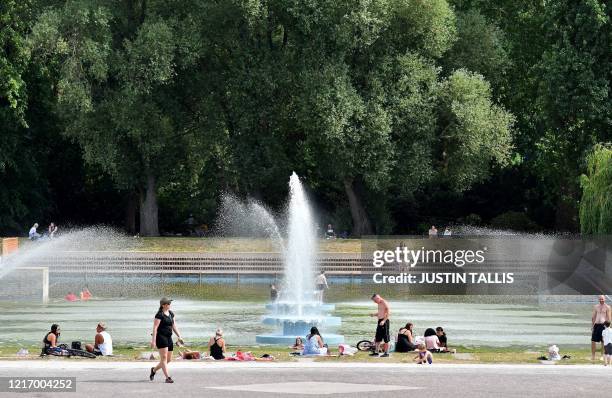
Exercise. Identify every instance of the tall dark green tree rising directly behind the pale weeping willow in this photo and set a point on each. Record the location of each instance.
(573, 96)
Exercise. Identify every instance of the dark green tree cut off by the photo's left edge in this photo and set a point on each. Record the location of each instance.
(22, 193)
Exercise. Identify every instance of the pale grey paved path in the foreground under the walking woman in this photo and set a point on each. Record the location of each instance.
(309, 379)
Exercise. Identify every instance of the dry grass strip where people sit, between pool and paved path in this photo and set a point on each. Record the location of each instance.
(477, 355)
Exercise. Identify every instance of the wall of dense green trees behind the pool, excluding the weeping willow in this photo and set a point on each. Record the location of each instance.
(397, 113)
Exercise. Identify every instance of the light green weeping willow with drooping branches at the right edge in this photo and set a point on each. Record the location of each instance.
(596, 203)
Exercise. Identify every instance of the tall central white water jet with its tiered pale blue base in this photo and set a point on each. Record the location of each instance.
(296, 309)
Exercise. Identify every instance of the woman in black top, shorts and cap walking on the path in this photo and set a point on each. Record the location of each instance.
(163, 326)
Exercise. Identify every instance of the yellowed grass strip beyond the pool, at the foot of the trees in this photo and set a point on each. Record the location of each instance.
(214, 245)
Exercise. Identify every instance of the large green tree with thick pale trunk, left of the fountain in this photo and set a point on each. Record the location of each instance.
(125, 92)
